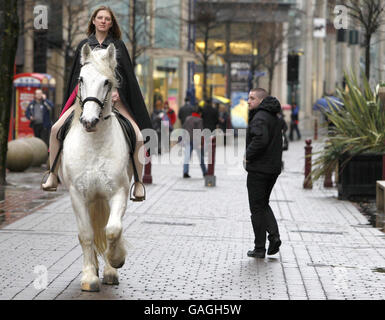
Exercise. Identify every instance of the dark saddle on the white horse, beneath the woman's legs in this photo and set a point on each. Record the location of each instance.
(129, 135)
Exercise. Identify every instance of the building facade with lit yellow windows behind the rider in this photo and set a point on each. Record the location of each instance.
(247, 45)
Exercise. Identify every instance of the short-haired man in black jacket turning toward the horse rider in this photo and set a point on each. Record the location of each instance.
(263, 164)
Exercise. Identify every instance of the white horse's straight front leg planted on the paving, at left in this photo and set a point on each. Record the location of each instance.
(90, 279)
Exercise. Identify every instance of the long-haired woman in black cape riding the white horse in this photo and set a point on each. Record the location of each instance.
(103, 29)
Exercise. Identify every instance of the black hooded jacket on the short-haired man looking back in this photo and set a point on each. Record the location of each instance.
(264, 138)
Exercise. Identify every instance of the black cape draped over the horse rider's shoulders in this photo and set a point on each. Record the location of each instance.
(129, 90)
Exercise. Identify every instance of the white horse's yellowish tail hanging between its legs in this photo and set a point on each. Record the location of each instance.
(99, 214)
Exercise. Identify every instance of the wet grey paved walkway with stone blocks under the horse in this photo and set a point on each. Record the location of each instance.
(188, 241)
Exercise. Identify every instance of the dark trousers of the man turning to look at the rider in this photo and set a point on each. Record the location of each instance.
(259, 187)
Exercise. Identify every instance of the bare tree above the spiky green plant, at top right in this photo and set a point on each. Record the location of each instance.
(369, 15)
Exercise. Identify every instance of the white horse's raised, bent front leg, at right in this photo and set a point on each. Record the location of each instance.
(116, 252)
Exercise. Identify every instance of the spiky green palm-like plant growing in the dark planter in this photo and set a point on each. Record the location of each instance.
(359, 127)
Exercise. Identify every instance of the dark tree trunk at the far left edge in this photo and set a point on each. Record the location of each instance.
(9, 35)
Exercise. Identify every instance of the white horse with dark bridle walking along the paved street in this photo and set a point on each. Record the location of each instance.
(95, 168)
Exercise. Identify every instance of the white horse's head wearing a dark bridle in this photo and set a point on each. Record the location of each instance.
(96, 81)
